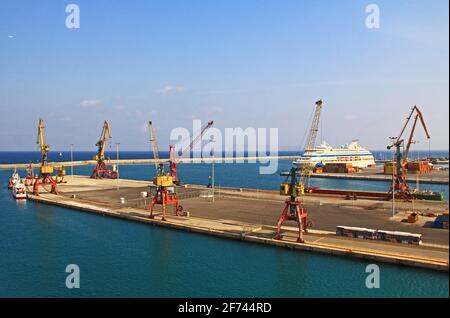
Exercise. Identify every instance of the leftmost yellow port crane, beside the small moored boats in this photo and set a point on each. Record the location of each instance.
(44, 177)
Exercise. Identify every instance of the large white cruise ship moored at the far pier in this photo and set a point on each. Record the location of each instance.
(351, 153)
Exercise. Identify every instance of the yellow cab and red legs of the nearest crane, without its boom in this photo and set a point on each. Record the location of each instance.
(294, 209)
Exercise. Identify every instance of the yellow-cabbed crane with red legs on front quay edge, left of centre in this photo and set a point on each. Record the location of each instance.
(165, 193)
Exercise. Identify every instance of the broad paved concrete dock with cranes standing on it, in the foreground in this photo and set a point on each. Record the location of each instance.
(251, 216)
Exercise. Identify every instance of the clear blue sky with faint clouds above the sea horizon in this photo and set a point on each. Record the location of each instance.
(243, 63)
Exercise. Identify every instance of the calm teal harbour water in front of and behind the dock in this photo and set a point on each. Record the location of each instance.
(120, 258)
